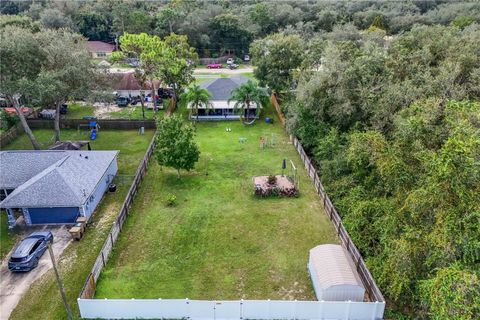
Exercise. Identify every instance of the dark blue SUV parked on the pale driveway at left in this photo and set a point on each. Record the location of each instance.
(27, 253)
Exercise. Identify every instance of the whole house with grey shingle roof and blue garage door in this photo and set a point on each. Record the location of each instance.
(54, 186)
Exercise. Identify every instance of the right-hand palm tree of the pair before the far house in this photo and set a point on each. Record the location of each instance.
(244, 96)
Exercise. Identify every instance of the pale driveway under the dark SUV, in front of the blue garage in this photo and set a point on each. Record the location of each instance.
(14, 285)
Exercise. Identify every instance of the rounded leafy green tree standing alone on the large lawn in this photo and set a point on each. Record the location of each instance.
(175, 144)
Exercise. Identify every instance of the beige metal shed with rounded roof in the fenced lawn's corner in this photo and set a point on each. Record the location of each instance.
(334, 275)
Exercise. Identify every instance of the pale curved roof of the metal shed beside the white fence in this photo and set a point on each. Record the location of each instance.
(333, 267)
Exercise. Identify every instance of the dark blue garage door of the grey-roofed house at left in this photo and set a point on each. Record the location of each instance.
(53, 215)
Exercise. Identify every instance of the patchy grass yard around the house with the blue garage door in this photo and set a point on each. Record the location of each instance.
(43, 300)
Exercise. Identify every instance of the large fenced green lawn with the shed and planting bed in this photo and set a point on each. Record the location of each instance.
(219, 242)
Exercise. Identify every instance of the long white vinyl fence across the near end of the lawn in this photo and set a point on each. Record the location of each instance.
(228, 310)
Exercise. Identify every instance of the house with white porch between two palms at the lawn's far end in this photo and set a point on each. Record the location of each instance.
(221, 90)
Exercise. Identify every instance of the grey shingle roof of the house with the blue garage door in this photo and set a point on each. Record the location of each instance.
(67, 179)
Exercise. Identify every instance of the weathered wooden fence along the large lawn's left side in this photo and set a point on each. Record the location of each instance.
(88, 290)
